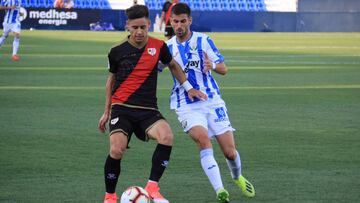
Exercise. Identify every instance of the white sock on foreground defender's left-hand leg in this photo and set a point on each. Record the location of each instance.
(211, 168)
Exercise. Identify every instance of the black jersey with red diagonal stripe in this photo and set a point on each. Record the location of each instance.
(136, 72)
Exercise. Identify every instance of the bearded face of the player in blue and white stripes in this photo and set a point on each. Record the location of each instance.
(181, 25)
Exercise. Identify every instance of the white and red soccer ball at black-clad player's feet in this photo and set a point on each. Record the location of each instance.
(135, 194)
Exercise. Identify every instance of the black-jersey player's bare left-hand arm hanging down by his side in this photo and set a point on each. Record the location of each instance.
(105, 117)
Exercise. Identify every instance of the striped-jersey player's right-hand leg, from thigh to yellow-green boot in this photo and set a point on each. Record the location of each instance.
(227, 145)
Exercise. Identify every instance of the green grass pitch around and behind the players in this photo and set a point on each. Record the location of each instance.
(294, 99)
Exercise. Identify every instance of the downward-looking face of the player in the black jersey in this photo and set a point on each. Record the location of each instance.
(138, 29)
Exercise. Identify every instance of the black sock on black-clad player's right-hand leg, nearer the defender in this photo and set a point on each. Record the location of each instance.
(160, 161)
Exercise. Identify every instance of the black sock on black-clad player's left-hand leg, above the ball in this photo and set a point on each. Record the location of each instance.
(112, 171)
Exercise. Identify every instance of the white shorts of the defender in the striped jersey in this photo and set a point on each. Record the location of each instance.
(210, 114)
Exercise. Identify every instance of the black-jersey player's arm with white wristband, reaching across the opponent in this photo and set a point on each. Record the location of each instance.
(180, 76)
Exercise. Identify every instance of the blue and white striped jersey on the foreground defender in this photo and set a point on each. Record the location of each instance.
(190, 56)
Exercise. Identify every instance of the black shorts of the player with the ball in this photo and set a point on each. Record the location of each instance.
(133, 120)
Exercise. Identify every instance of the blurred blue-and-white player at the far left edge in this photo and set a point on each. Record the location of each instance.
(11, 24)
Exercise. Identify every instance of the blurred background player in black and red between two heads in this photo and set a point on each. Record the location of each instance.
(165, 18)
